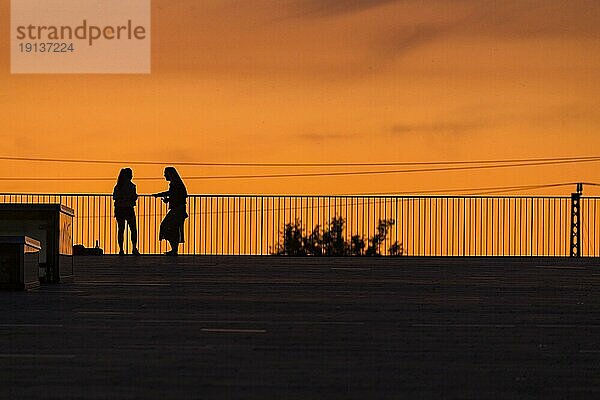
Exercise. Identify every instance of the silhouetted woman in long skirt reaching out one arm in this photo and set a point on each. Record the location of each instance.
(171, 227)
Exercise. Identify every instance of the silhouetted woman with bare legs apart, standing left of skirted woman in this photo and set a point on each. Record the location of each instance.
(125, 197)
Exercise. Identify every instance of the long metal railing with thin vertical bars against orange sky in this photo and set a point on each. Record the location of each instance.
(424, 225)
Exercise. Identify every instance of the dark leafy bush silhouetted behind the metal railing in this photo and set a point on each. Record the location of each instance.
(330, 241)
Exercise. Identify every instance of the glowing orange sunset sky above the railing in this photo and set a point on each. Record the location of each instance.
(322, 81)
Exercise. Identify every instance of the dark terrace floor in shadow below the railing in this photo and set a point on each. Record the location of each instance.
(154, 327)
